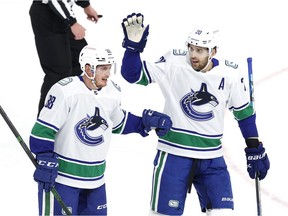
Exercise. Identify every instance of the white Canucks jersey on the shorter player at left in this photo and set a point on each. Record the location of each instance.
(77, 124)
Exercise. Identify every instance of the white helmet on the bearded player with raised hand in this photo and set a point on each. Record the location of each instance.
(203, 38)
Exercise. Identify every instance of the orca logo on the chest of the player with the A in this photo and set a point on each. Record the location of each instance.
(198, 99)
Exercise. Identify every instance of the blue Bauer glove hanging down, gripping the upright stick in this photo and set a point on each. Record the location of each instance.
(257, 161)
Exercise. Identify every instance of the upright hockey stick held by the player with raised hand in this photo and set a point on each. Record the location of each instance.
(252, 100)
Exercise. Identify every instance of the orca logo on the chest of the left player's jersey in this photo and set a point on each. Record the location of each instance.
(85, 129)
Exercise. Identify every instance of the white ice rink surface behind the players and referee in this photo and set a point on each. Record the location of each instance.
(247, 29)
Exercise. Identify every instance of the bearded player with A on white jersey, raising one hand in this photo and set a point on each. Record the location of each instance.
(197, 88)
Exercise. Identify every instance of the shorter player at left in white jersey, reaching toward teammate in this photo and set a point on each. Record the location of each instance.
(72, 134)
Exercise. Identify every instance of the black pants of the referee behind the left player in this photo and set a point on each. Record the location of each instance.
(57, 49)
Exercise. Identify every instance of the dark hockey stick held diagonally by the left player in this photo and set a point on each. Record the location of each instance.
(30, 155)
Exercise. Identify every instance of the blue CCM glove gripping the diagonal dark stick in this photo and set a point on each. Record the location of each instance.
(46, 170)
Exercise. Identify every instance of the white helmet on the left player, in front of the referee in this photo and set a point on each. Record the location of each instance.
(94, 57)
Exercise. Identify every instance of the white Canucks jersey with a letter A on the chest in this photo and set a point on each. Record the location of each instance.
(196, 102)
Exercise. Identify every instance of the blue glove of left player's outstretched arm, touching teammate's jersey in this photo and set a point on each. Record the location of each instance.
(155, 120)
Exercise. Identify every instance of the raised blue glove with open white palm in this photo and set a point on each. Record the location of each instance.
(135, 33)
